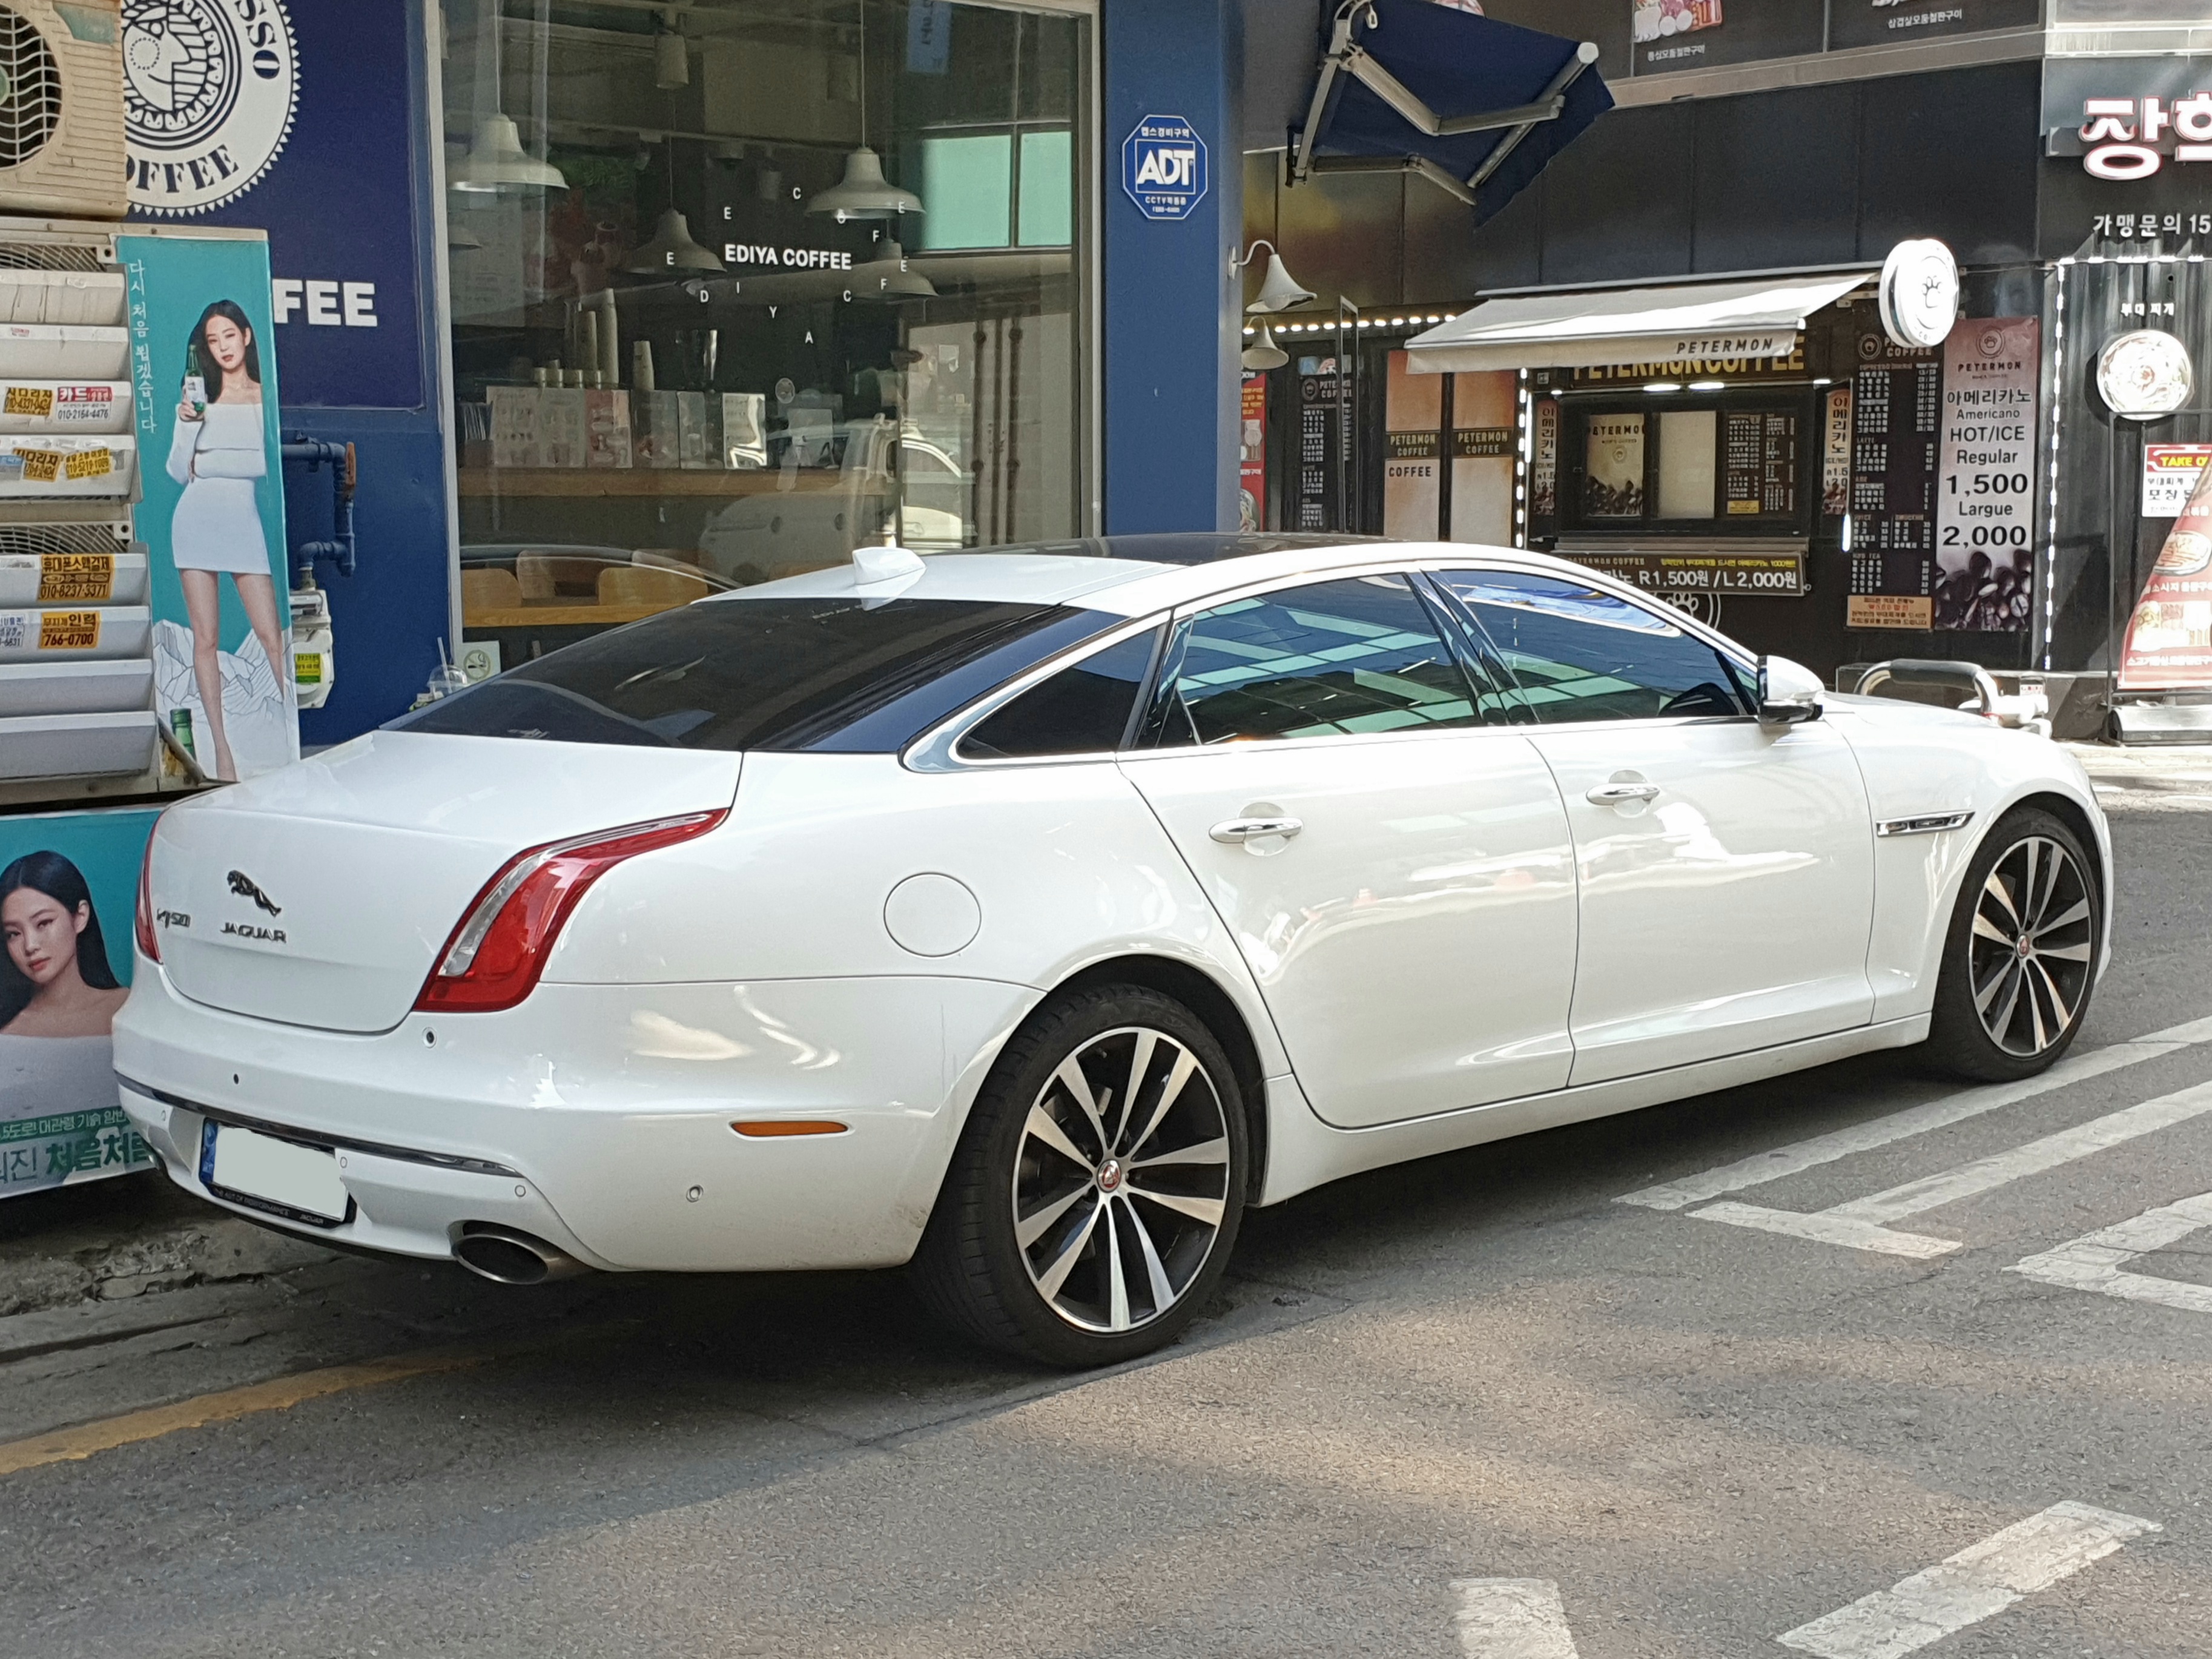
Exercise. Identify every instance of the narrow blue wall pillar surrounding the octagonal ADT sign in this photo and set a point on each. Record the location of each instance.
(1171, 311)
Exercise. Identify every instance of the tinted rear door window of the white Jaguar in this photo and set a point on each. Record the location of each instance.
(1355, 656)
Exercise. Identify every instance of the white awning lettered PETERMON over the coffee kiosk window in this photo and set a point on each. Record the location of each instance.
(1757, 317)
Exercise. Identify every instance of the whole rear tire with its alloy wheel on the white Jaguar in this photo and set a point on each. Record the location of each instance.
(1081, 1231)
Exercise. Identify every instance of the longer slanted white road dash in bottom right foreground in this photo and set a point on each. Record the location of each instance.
(1970, 1587)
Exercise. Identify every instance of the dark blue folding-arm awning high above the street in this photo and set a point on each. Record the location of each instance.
(1470, 103)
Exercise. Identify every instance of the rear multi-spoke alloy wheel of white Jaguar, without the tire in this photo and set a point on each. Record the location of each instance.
(1120, 1180)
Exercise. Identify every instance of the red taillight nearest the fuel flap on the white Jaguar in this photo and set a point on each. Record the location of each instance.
(503, 941)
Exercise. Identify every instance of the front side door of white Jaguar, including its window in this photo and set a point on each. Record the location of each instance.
(1726, 866)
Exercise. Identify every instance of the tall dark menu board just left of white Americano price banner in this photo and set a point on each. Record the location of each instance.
(1897, 415)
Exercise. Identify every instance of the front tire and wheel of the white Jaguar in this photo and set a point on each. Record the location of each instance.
(2007, 1012)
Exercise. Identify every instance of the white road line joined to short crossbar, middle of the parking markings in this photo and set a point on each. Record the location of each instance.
(1861, 1224)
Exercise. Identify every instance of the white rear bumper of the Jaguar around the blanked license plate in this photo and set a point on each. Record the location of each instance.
(598, 1118)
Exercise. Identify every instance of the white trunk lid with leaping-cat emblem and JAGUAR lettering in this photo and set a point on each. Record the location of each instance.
(320, 895)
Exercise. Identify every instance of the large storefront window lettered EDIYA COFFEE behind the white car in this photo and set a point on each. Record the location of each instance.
(744, 284)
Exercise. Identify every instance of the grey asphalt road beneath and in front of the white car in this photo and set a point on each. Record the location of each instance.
(1669, 1432)
